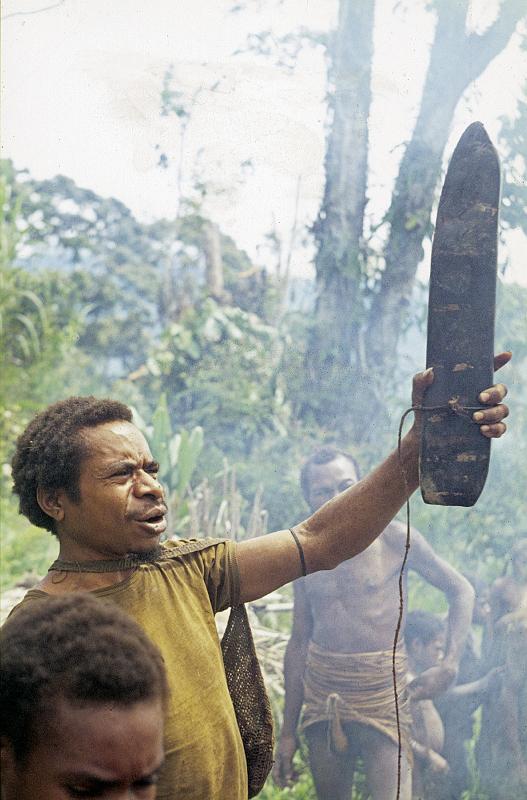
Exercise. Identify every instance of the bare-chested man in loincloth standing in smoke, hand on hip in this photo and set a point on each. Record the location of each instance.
(338, 662)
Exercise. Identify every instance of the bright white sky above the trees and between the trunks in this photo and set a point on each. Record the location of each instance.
(81, 87)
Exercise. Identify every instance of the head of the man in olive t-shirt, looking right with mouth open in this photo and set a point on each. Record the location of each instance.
(84, 471)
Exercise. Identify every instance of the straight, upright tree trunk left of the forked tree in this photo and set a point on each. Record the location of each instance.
(339, 227)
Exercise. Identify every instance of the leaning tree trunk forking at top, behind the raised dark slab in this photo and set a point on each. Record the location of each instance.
(457, 59)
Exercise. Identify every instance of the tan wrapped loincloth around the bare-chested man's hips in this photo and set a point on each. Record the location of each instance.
(356, 687)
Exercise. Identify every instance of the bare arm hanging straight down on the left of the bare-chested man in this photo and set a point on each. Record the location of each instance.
(294, 666)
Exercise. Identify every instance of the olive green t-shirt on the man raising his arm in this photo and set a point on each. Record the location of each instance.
(174, 600)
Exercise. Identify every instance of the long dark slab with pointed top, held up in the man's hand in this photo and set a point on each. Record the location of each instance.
(454, 456)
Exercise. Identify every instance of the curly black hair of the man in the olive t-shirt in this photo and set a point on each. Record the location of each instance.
(49, 452)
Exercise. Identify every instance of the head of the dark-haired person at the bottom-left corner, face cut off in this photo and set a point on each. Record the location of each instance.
(83, 692)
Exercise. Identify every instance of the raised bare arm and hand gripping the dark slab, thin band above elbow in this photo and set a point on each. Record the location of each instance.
(350, 522)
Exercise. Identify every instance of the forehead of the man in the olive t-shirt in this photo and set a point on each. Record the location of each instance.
(115, 440)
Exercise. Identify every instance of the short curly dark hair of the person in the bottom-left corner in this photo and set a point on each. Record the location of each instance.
(74, 647)
